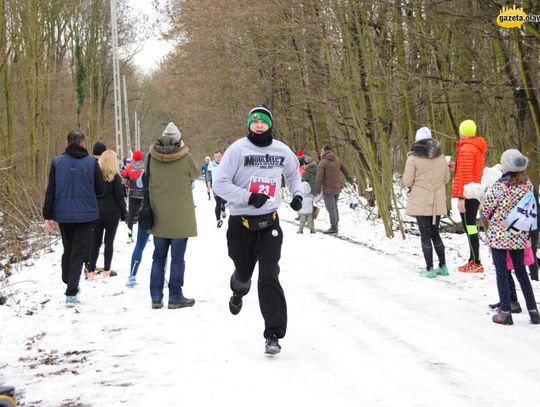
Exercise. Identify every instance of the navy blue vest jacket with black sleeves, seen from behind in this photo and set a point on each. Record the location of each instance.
(75, 181)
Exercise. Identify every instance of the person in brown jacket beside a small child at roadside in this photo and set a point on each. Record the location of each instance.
(328, 181)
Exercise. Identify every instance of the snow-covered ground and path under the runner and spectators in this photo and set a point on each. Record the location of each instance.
(364, 330)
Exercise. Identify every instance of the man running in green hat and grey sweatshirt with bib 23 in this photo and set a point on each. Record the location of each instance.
(249, 178)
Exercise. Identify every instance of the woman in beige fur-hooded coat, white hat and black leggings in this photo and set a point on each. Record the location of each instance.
(426, 174)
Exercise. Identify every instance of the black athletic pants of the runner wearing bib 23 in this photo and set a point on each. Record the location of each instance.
(245, 249)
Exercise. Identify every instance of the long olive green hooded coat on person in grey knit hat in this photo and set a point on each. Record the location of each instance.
(171, 171)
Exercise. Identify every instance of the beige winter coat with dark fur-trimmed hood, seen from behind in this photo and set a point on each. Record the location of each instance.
(426, 174)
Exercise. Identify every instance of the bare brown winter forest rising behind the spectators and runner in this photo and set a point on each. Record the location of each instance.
(362, 76)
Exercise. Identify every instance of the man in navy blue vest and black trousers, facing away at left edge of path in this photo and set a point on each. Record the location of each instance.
(75, 181)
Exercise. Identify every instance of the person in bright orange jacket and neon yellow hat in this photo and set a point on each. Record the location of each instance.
(469, 166)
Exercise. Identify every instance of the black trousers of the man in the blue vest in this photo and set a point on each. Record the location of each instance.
(76, 238)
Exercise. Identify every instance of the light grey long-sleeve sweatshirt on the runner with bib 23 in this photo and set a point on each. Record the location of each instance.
(246, 168)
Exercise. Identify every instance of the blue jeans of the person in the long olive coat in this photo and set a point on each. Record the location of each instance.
(157, 275)
